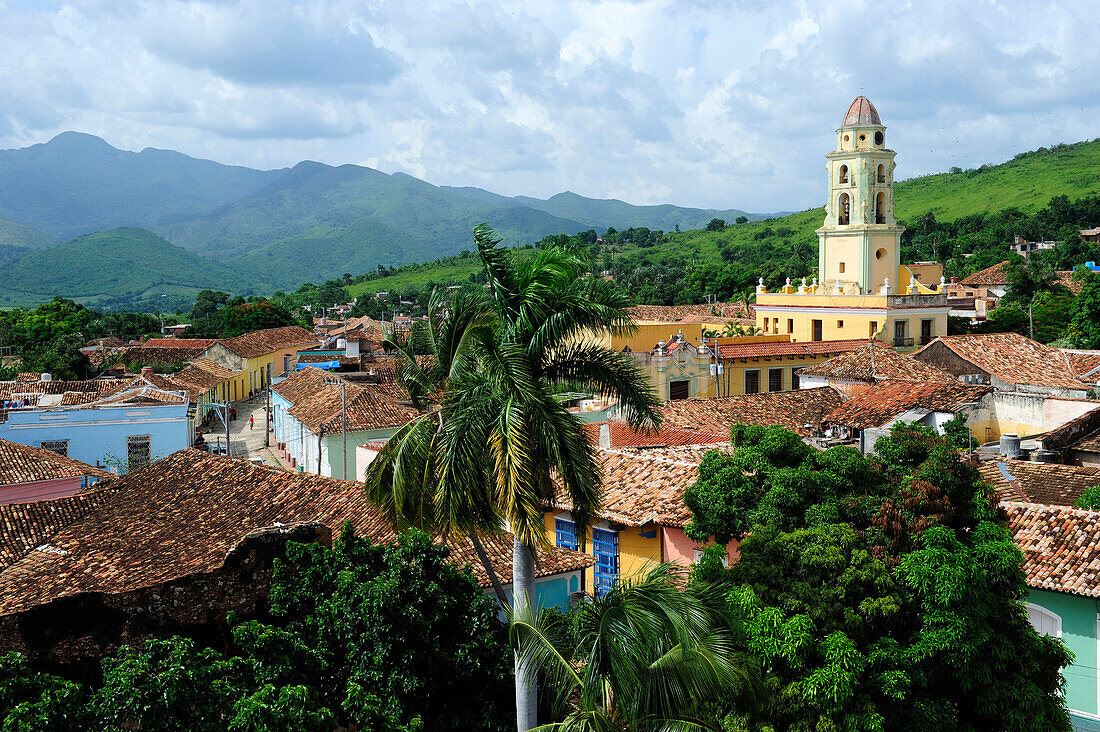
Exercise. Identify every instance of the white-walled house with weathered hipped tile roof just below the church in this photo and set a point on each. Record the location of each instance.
(871, 364)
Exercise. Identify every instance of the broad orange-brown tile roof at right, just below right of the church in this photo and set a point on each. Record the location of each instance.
(1013, 358)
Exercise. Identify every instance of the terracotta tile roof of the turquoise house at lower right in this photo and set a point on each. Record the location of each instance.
(1061, 548)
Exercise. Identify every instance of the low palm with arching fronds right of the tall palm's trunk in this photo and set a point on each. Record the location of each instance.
(648, 654)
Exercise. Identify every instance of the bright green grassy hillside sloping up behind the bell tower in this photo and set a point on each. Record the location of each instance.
(1027, 183)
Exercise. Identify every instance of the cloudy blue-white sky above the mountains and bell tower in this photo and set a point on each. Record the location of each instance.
(706, 103)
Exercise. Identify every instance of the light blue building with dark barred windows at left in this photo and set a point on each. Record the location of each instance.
(117, 425)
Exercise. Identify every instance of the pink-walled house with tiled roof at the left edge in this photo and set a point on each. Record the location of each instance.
(34, 474)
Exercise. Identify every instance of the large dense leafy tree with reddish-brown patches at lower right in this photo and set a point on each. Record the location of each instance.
(879, 594)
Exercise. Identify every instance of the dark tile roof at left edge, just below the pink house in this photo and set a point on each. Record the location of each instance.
(27, 526)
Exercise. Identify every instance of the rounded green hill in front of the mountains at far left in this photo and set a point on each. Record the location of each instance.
(130, 266)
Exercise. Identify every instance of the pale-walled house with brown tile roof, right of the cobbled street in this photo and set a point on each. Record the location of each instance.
(310, 409)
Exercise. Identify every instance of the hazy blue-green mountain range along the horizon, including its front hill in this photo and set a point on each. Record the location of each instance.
(155, 227)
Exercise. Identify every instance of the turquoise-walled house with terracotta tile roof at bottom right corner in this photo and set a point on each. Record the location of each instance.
(1062, 564)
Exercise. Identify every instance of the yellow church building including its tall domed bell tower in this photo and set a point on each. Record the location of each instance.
(864, 291)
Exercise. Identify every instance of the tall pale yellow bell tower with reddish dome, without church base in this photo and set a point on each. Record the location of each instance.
(859, 247)
